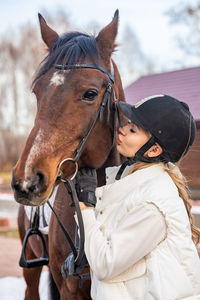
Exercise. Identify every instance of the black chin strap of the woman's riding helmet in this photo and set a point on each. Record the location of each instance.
(139, 156)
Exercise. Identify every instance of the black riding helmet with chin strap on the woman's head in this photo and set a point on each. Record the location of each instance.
(170, 123)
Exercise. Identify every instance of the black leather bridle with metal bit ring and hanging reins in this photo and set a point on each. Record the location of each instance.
(77, 258)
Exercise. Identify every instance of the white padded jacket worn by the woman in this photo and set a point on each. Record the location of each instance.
(138, 240)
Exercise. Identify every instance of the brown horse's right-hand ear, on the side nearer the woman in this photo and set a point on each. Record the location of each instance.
(106, 38)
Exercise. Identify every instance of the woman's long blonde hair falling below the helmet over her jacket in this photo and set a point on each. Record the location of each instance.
(183, 190)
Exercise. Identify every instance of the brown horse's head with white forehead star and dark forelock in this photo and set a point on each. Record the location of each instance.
(71, 85)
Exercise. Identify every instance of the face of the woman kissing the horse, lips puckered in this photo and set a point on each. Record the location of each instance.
(130, 139)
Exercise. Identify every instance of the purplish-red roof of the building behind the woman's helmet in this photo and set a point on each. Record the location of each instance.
(182, 84)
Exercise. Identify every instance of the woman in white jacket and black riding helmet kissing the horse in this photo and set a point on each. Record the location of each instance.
(140, 239)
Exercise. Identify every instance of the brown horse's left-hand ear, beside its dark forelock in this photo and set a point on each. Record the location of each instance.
(49, 36)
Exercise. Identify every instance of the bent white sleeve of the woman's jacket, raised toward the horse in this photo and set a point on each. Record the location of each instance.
(138, 233)
